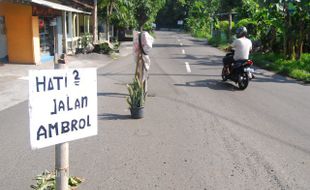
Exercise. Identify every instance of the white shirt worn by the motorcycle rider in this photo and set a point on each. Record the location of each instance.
(242, 47)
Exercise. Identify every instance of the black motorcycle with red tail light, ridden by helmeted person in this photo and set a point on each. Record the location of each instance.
(239, 71)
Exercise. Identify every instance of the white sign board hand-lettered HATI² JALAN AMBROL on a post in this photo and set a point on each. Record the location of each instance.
(62, 105)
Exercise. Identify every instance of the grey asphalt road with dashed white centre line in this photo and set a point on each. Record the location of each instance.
(198, 132)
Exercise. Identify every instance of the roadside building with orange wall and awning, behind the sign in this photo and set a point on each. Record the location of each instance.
(31, 30)
